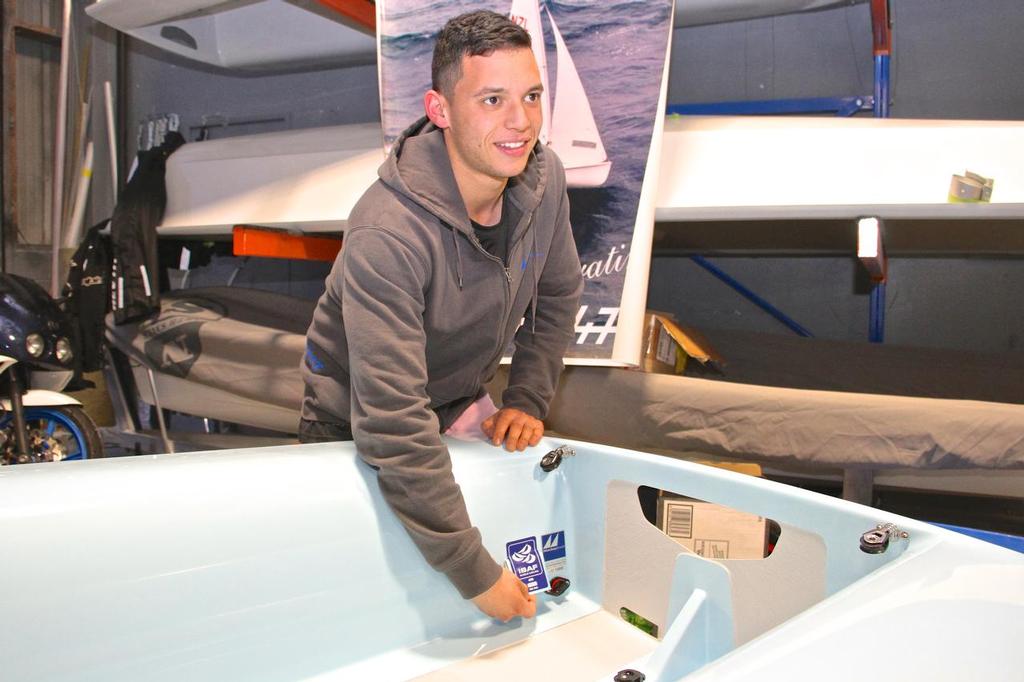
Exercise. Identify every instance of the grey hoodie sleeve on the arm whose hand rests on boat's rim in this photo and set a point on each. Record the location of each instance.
(541, 344)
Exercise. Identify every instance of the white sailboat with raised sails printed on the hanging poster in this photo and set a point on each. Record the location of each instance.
(570, 131)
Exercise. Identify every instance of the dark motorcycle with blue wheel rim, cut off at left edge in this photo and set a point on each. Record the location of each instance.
(38, 422)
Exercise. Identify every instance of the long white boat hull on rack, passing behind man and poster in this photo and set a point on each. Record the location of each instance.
(310, 180)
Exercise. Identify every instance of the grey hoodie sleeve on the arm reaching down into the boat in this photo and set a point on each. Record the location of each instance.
(393, 424)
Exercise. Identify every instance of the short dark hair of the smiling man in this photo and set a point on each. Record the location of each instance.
(473, 34)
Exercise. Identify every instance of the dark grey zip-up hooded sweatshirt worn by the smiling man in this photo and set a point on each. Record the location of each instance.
(415, 320)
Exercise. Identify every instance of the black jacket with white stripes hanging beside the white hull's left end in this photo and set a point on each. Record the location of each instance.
(136, 276)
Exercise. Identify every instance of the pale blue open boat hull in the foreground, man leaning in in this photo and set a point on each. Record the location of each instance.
(285, 564)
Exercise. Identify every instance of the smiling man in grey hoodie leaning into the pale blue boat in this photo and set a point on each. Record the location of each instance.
(463, 245)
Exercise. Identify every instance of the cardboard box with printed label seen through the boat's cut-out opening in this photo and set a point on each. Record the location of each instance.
(712, 531)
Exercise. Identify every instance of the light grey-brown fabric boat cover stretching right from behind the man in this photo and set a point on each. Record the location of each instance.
(786, 425)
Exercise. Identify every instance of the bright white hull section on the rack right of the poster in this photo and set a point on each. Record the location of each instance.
(759, 168)
